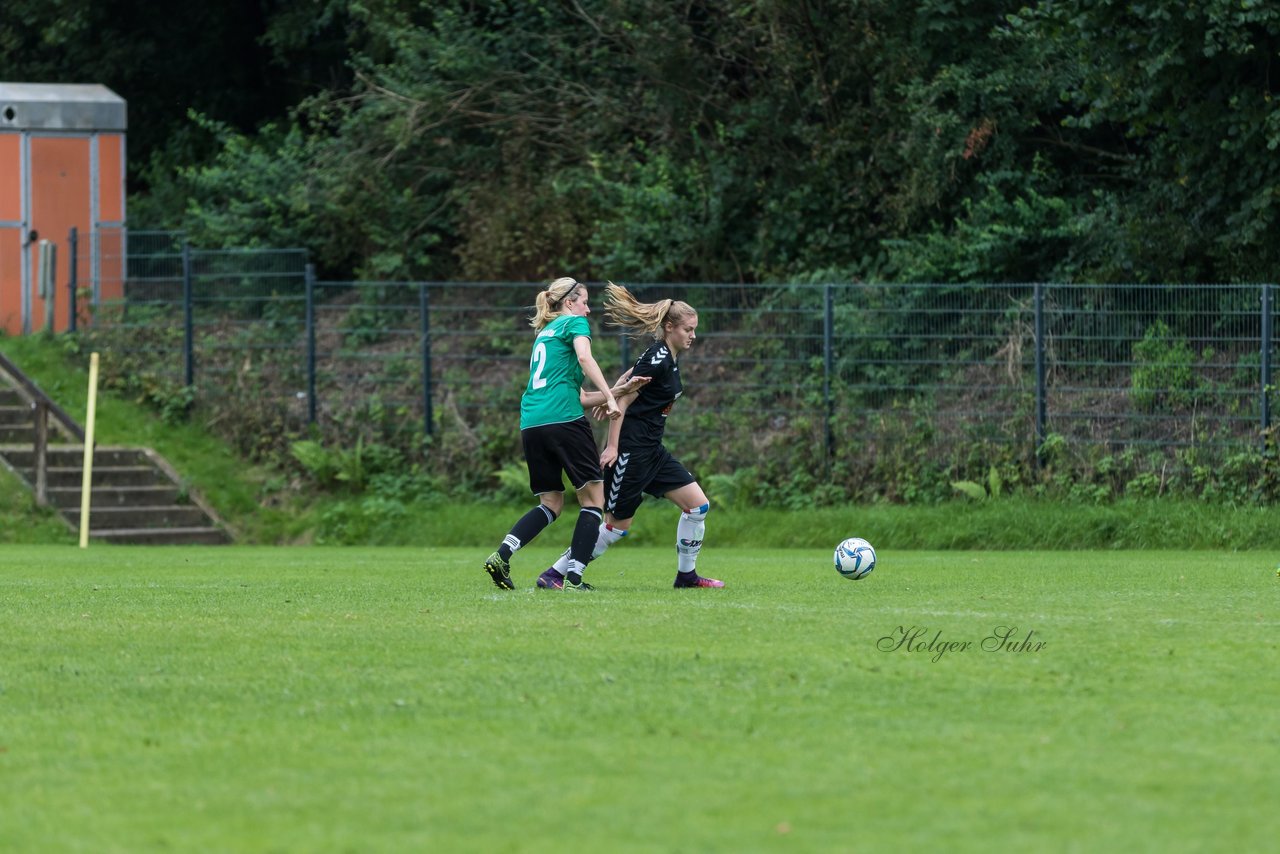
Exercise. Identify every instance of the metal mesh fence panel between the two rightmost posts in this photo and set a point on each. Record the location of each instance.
(1156, 366)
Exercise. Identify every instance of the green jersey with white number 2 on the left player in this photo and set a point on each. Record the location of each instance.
(555, 376)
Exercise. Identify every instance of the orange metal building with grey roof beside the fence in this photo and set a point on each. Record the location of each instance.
(62, 167)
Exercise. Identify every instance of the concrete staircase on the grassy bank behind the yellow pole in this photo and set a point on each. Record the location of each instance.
(138, 497)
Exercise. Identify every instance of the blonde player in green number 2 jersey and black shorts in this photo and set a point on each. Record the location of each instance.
(555, 431)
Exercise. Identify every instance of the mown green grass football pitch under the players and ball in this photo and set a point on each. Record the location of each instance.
(326, 700)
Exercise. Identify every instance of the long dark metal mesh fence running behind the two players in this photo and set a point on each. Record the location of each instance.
(813, 375)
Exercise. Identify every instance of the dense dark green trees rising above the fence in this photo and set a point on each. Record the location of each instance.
(732, 140)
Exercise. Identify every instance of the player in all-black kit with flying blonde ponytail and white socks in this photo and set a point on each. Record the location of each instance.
(634, 458)
